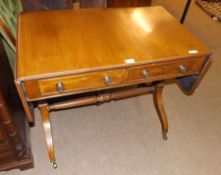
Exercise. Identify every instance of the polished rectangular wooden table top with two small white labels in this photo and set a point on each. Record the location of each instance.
(73, 41)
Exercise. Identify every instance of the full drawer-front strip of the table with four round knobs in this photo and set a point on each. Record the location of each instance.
(44, 88)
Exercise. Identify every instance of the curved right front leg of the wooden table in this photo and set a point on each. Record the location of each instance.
(160, 109)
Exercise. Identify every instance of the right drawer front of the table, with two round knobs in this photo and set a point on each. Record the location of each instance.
(166, 70)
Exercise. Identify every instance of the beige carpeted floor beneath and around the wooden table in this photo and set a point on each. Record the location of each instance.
(124, 138)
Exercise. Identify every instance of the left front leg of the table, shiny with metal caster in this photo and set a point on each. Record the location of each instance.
(48, 132)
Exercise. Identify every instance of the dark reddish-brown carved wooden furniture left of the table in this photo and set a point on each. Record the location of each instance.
(14, 144)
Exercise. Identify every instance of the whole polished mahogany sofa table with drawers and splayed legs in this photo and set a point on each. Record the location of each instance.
(99, 55)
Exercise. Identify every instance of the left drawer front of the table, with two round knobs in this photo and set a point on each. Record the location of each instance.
(73, 83)
